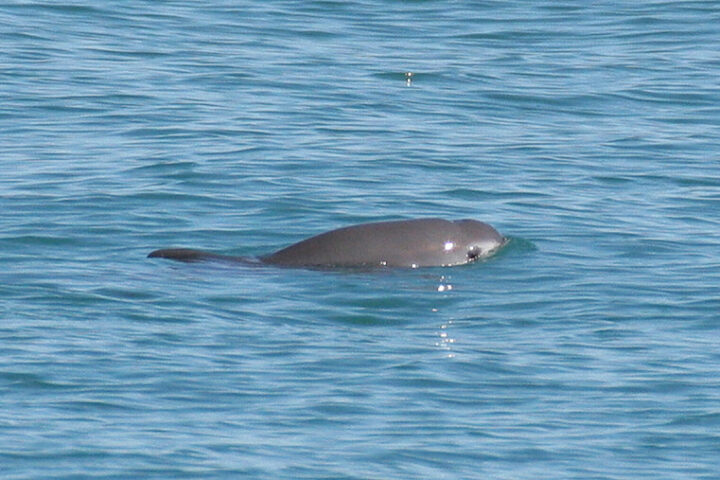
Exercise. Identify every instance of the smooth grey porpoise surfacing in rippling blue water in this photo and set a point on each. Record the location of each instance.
(429, 242)
